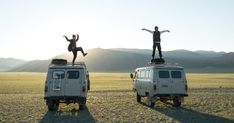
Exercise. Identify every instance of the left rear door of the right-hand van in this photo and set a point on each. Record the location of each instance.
(163, 81)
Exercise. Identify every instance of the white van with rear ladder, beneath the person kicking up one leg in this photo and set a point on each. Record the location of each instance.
(66, 83)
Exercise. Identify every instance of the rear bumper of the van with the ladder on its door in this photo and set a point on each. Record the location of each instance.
(67, 99)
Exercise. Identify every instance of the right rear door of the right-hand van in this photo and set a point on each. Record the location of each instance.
(178, 82)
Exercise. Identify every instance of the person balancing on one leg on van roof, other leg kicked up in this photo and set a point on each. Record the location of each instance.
(72, 47)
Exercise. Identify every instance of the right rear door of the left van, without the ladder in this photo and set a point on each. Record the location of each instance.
(73, 84)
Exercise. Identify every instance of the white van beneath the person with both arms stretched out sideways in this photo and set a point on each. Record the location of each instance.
(160, 82)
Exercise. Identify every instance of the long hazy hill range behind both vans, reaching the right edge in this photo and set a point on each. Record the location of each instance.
(126, 60)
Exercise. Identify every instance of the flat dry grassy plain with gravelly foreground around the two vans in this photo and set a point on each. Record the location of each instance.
(111, 99)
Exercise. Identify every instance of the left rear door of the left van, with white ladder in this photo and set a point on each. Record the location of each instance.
(57, 82)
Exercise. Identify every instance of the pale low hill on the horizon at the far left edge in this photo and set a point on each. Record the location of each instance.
(9, 63)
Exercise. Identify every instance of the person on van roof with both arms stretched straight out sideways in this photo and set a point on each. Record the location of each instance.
(156, 40)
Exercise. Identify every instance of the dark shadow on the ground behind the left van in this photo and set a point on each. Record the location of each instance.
(72, 116)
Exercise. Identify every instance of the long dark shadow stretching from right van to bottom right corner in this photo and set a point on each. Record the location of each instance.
(185, 115)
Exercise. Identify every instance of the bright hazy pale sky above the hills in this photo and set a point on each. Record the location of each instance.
(33, 29)
